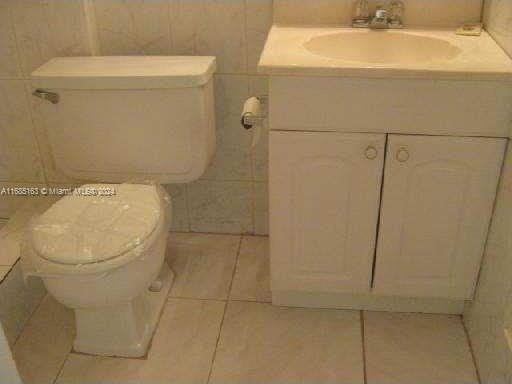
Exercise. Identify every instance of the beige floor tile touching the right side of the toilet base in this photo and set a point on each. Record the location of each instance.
(203, 264)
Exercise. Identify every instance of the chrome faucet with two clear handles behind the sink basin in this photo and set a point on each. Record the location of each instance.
(382, 17)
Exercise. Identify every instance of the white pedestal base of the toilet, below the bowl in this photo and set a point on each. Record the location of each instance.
(123, 330)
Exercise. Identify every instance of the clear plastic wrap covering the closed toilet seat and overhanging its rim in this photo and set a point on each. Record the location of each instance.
(100, 227)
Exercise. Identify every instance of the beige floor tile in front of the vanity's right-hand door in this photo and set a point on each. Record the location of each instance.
(416, 348)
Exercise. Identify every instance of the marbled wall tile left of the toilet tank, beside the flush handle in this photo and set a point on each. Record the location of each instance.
(19, 153)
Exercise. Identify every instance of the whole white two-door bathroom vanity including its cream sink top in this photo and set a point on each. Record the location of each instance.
(439, 125)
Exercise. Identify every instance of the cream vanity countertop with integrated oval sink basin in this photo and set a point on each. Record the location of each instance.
(362, 53)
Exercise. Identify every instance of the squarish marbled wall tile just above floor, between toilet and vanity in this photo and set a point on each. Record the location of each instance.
(220, 206)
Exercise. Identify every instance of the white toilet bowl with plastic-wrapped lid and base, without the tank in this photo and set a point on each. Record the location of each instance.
(100, 255)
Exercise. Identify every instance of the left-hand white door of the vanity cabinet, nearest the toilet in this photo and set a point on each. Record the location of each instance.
(324, 202)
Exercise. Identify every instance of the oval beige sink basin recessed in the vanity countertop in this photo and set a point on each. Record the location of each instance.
(382, 47)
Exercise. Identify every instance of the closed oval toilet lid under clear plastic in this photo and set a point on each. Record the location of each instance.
(85, 227)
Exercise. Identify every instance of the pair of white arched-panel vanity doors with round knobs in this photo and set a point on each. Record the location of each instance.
(434, 204)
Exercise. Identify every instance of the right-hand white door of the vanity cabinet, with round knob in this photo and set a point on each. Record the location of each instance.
(437, 202)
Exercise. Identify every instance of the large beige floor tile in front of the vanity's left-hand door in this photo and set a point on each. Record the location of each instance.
(261, 343)
